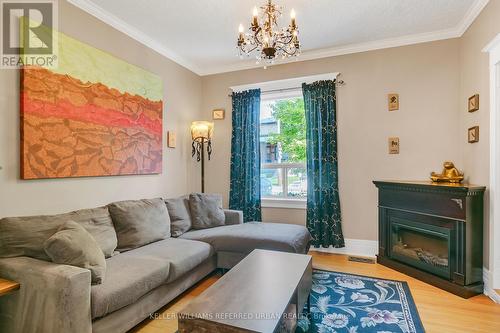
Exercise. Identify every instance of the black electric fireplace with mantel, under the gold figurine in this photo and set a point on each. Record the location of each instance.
(433, 232)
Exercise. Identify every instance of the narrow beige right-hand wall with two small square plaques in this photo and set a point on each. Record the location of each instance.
(475, 78)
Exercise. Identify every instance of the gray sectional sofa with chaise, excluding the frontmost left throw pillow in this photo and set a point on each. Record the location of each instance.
(145, 269)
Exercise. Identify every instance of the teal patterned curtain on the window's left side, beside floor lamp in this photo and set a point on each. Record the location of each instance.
(244, 192)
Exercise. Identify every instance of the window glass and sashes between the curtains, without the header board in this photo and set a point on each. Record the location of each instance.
(283, 148)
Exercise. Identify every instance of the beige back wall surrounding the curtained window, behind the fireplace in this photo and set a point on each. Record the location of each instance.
(427, 78)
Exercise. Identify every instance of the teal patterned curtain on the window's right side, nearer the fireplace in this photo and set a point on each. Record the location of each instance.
(323, 203)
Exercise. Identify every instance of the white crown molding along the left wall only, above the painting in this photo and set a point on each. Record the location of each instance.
(132, 32)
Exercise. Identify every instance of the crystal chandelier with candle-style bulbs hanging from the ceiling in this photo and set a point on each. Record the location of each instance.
(266, 38)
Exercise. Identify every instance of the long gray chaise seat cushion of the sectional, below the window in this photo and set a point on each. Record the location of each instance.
(244, 238)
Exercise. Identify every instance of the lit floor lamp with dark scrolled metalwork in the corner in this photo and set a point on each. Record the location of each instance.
(201, 134)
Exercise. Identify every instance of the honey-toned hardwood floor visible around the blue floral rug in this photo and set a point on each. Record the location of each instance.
(441, 312)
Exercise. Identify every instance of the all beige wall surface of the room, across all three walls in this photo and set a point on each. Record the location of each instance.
(434, 81)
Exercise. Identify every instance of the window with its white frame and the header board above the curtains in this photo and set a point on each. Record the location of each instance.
(283, 140)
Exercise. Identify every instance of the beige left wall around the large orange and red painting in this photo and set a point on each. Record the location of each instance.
(182, 99)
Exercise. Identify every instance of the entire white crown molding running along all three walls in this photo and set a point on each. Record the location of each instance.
(141, 37)
